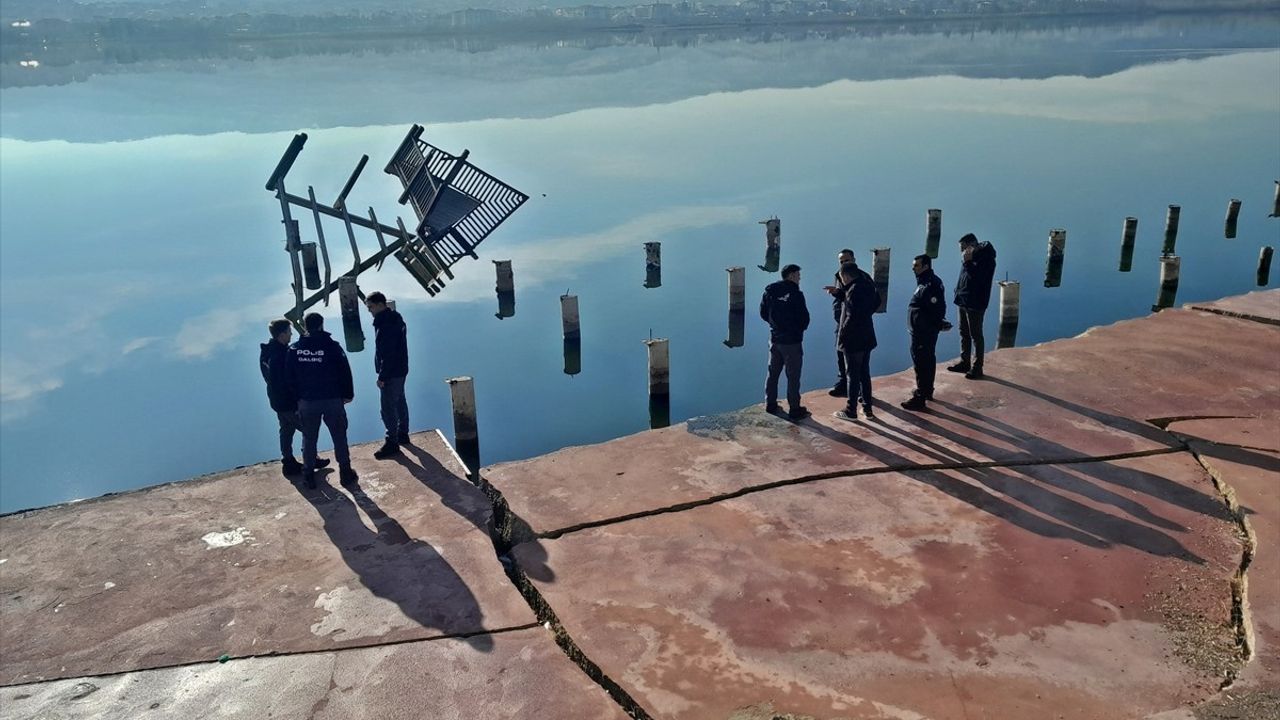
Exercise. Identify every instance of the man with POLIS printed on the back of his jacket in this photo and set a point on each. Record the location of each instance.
(321, 379)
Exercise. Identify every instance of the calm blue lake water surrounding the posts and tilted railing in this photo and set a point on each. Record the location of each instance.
(141, 258)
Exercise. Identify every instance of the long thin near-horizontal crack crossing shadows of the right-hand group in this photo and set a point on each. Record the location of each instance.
(525, 534)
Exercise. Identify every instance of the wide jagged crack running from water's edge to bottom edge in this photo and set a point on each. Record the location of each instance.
(501, 534)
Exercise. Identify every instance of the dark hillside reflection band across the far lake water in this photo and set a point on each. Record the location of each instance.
(271, 86)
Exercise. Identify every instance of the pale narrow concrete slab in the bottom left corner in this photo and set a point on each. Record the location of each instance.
(523, 676)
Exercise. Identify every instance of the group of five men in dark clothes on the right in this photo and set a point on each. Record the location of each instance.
(856, 299)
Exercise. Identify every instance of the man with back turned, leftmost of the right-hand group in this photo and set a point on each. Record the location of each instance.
(784, 308)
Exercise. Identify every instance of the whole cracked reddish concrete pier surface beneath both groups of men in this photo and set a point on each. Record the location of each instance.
(1092, 532)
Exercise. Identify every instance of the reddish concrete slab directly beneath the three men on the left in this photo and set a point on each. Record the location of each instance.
(244, 563)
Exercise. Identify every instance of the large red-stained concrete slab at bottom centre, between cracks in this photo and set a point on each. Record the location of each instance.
(1069, 591)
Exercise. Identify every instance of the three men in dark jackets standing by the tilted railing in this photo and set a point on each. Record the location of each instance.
(309, 384)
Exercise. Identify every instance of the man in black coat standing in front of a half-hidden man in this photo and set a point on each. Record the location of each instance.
(856, 338)
